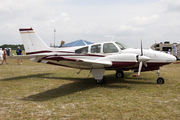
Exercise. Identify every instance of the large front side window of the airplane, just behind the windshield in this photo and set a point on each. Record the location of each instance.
(109, 48)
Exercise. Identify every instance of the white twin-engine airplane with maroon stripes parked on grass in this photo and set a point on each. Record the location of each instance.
(96, 57)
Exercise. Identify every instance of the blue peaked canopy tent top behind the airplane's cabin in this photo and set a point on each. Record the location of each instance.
(77, 43)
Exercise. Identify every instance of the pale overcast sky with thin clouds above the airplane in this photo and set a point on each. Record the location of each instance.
(128, 21)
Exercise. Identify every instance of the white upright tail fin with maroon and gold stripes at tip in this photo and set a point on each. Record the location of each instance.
(32, 42)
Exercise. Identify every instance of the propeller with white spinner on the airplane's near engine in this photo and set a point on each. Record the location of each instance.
(142, 59)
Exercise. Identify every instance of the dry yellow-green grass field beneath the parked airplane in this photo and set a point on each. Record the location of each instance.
(40, 91)
